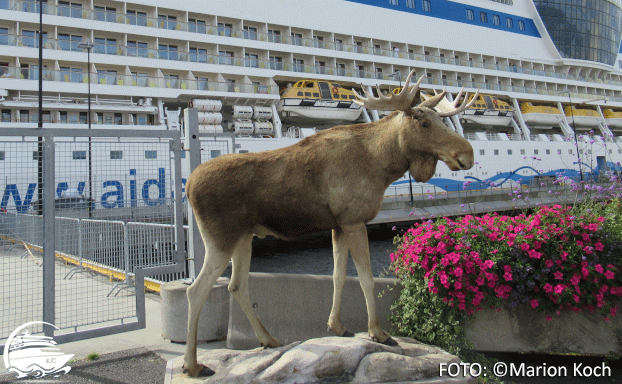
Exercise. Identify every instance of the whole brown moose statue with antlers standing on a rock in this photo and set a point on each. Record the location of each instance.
(334, 180)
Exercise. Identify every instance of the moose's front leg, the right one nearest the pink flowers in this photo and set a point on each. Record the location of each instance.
(356, 237)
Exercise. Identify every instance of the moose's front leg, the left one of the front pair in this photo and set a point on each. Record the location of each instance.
(340, 255)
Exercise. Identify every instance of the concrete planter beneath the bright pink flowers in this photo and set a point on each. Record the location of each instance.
(527, 330)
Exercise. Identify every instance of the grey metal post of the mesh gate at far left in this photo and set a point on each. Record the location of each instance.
(49, 246)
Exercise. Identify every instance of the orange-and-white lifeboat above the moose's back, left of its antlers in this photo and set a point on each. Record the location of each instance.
(316, 99)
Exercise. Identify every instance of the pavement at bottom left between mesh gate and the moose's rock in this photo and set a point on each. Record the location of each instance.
(136, 357)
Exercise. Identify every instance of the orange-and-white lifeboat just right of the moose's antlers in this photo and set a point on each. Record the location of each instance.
(487, 110)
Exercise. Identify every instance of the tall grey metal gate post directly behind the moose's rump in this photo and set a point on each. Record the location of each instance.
(196, 249)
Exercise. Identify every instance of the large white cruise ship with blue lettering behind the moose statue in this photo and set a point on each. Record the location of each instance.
(271, 72)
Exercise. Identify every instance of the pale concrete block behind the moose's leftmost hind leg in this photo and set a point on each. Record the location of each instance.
(214, 315)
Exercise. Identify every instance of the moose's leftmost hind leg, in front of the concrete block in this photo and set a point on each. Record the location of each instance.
(213, 266)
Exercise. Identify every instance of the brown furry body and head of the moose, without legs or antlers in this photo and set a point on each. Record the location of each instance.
(334, 177)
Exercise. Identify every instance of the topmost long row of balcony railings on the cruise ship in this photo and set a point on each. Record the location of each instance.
(108, 14)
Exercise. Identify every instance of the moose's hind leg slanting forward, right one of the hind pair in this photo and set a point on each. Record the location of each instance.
(238, 286)
